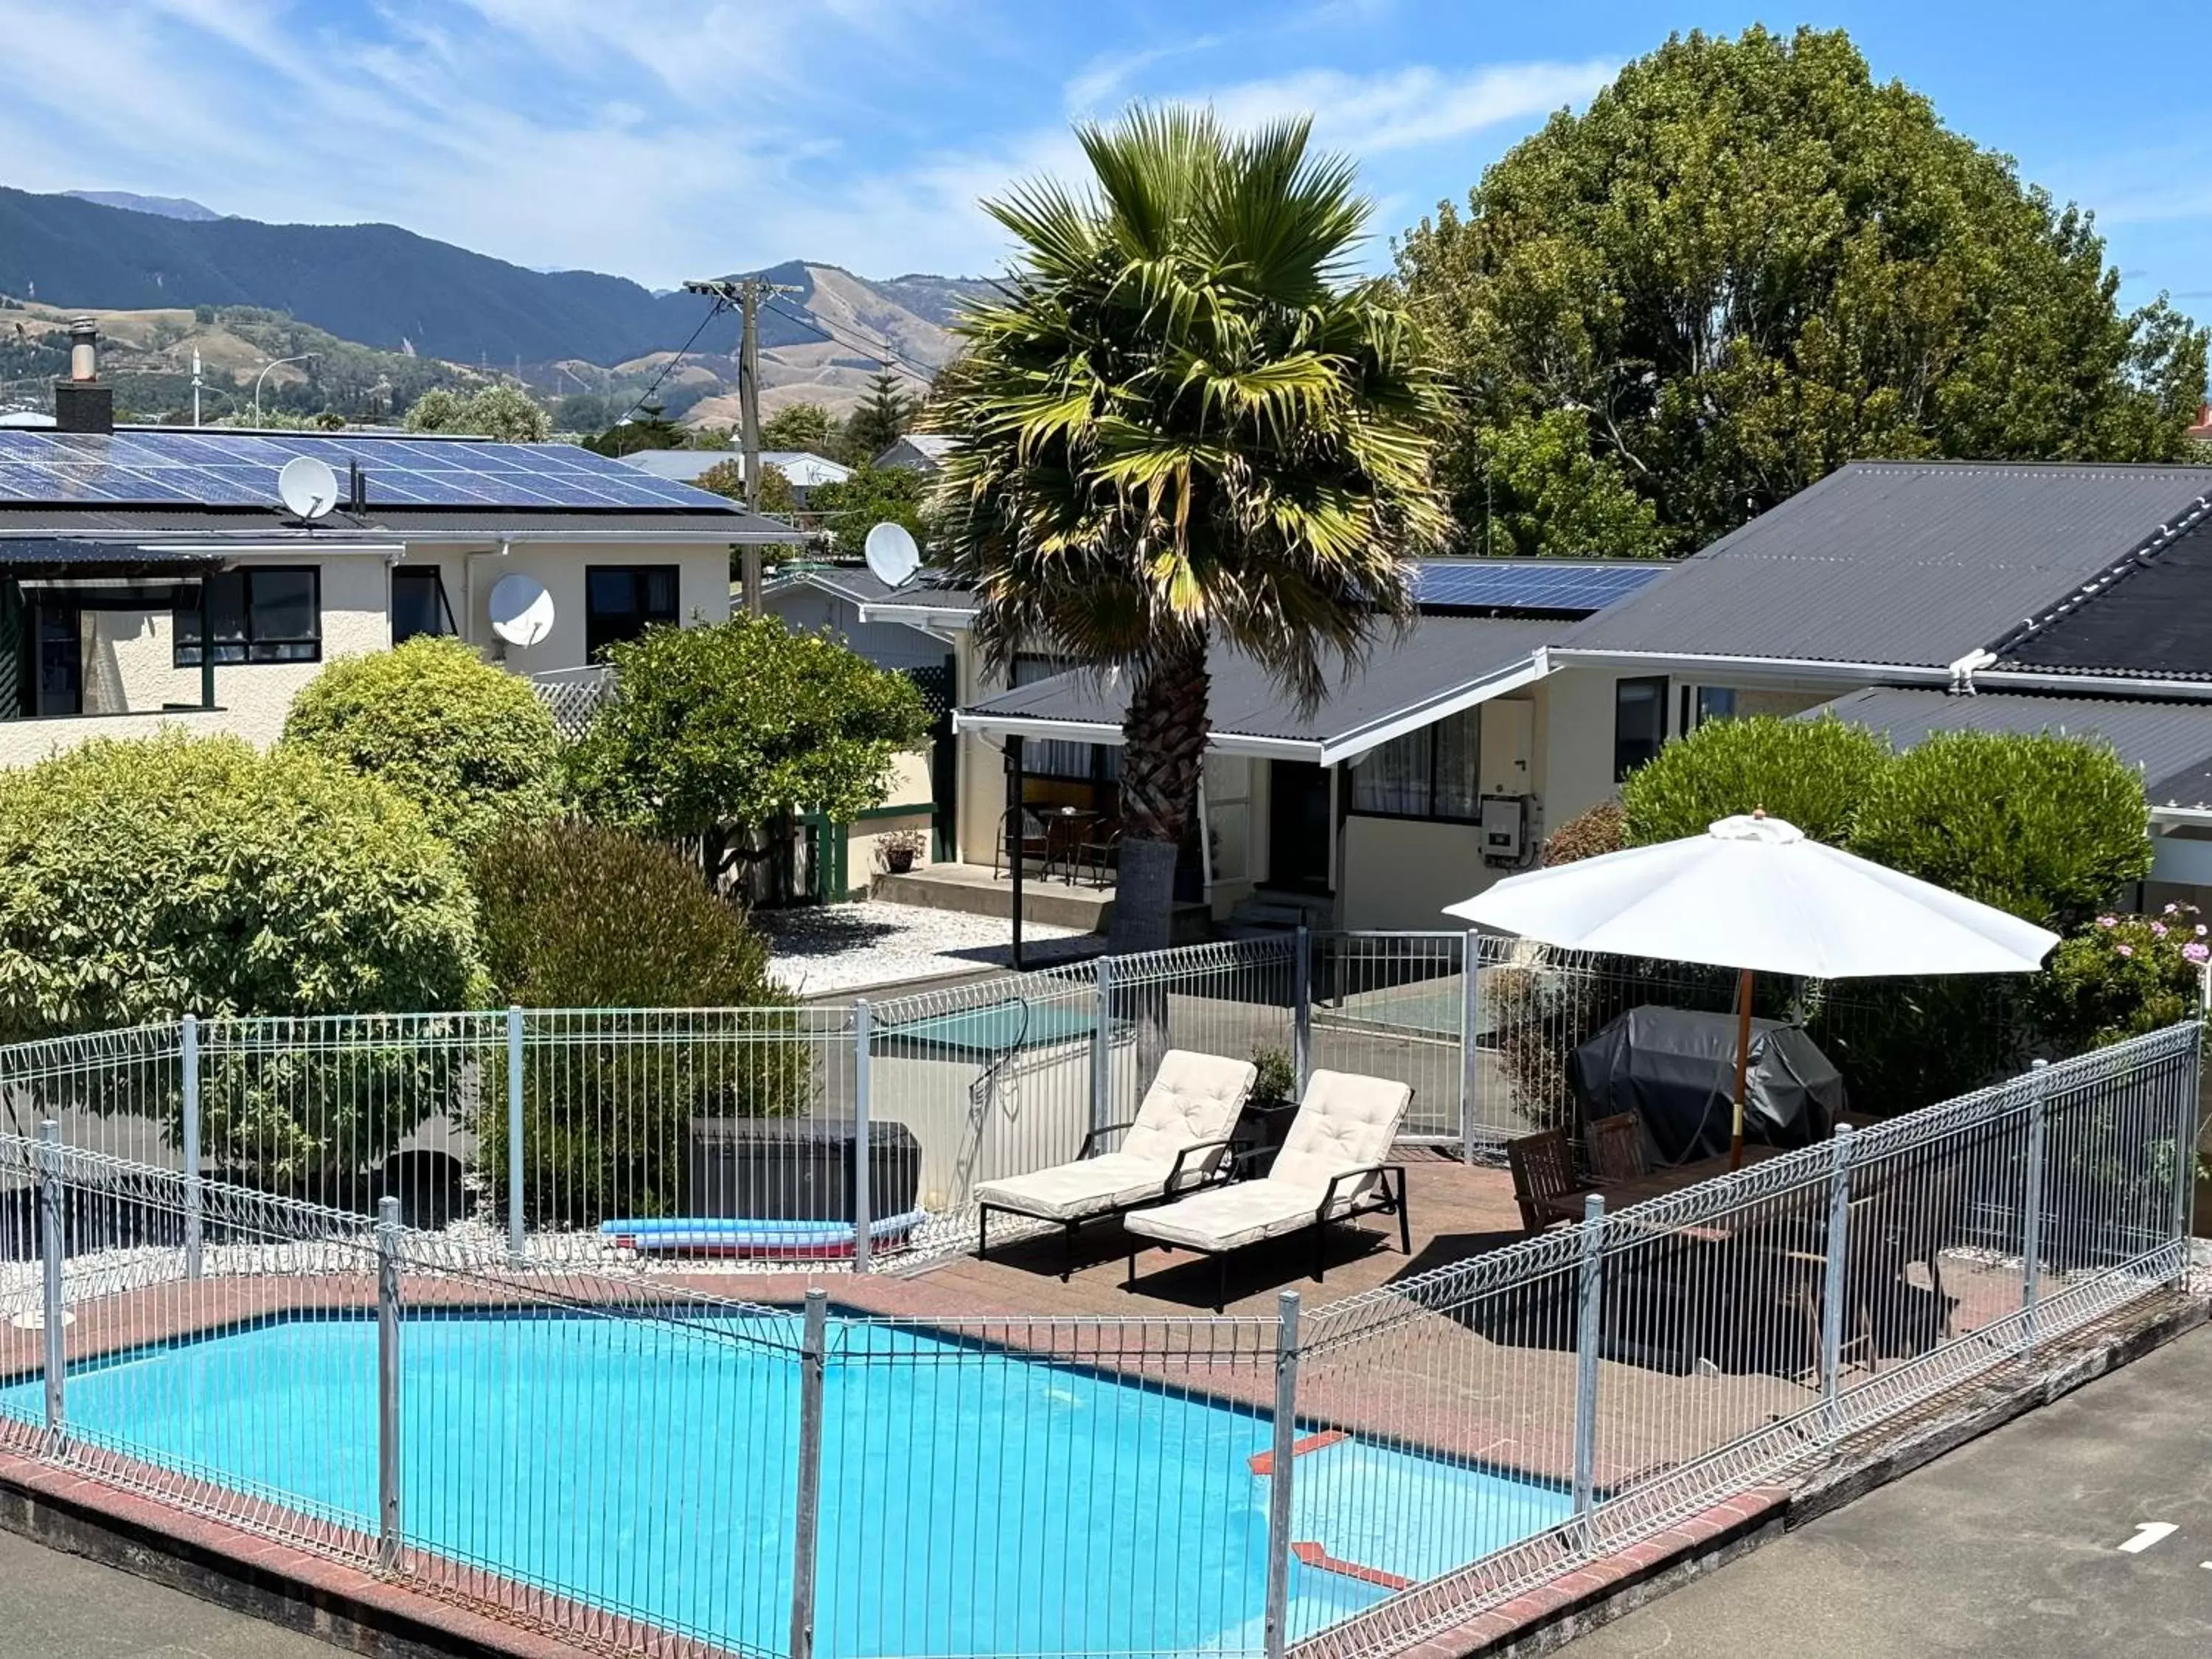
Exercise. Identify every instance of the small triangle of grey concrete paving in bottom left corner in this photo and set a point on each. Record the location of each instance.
(63, 1607)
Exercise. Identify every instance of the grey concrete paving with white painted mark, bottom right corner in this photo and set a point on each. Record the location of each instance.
(2080, 1530)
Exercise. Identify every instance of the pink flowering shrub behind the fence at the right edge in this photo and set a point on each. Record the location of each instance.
(2122, 977)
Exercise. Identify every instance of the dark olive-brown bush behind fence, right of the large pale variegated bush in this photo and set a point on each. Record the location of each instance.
(578, 917)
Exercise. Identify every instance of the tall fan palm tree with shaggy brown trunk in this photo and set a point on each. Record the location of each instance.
(1185, 421)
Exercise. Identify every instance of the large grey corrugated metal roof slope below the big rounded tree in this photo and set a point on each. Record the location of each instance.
(1899, 563)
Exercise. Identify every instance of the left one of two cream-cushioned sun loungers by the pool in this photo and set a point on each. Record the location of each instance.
(1178, 1140)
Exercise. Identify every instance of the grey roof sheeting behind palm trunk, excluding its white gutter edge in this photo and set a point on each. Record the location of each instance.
(1437, 660)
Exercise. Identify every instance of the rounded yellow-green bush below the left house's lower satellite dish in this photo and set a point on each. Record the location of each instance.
(463, 740)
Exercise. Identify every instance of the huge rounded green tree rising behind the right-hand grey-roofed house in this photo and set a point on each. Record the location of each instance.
(1746, 264)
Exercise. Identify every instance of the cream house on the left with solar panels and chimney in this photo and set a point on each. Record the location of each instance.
(149, 574)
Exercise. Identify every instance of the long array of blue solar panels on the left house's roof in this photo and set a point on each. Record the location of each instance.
(240, 470)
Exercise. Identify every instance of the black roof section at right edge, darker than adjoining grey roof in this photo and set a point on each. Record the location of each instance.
(2151, 616)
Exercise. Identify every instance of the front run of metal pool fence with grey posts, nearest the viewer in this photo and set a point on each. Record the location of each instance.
(658, 1468)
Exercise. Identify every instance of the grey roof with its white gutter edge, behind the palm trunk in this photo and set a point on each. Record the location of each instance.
(1441, 667)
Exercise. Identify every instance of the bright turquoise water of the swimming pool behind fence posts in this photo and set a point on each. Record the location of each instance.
(972, 1501)
